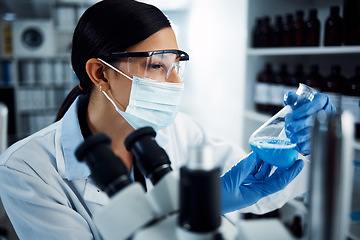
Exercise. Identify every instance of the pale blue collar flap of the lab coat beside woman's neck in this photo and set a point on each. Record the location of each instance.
(71, 138)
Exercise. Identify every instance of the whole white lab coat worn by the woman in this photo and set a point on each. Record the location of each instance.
(35, 170)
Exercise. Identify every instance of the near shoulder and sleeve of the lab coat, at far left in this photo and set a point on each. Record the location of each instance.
(37, 200)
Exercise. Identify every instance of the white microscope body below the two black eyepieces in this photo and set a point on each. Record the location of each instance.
(133, 213)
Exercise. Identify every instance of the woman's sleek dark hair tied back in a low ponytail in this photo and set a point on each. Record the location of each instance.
(106, 27)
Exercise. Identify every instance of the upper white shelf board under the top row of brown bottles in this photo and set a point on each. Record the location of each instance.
(303, 51)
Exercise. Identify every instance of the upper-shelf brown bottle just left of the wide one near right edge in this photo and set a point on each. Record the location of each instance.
(312, 29)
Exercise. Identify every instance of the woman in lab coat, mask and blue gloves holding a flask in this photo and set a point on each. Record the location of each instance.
(127, 59)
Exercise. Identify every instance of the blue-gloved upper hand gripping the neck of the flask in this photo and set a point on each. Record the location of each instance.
(299, 123)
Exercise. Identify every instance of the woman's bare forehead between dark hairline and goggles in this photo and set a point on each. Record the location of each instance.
(161, 40)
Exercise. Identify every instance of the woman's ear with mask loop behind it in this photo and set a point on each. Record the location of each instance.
(95, 70)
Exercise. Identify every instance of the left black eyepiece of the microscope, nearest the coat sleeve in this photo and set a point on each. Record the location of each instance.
(107, 170)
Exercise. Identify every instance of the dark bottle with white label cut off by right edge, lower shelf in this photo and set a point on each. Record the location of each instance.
(350, 99)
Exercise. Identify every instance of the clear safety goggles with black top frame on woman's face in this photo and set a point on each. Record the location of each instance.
(156, 65)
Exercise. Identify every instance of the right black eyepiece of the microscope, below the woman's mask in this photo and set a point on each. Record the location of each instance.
(152, 160)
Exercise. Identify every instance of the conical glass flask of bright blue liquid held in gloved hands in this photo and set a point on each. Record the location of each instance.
(270, 141)
